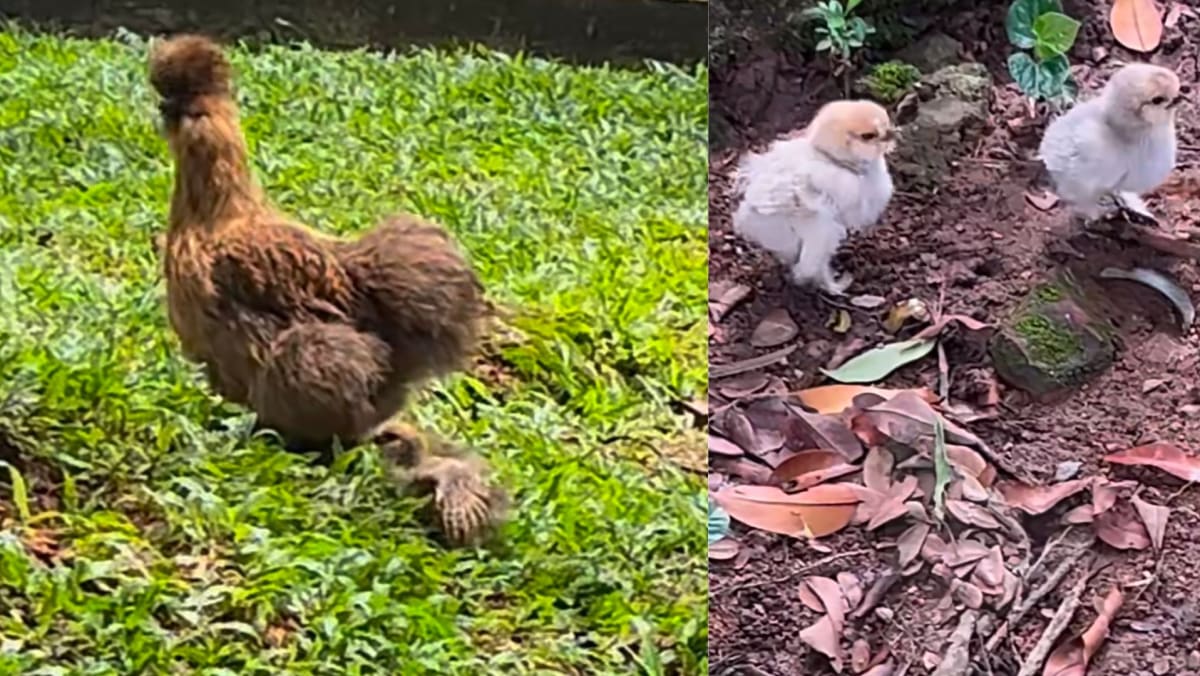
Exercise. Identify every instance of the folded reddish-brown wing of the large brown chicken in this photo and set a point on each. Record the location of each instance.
(284, 272)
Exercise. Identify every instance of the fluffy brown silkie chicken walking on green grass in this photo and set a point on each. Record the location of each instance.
(323, 339)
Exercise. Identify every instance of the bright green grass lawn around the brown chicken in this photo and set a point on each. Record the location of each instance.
(146, 531)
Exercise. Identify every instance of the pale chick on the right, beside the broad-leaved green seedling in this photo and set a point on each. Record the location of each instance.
(1118, 146)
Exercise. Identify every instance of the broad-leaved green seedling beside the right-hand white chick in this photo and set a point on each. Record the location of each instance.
(1042, 27)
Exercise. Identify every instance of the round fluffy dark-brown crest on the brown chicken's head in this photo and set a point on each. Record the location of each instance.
(187, 67)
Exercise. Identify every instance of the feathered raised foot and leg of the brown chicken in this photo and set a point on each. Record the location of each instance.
(466, 507)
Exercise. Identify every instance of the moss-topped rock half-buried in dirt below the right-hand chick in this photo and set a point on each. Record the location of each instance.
(1055, 342)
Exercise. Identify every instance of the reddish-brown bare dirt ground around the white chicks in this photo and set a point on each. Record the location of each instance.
(980, 238)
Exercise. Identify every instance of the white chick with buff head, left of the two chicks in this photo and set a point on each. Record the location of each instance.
(802, 196)
